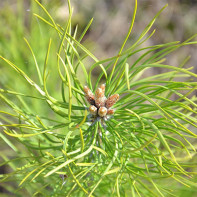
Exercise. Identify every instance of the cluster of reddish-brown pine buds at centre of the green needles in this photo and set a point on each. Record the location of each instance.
(100, 106)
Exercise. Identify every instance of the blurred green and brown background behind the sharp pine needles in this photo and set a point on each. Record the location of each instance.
(111, 21)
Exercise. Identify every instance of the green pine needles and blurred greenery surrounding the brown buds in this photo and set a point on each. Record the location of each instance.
(146, 148)
